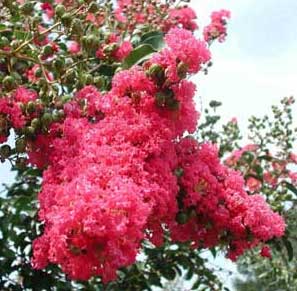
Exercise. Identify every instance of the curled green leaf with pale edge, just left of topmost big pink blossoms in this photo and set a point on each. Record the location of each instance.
(138, 55)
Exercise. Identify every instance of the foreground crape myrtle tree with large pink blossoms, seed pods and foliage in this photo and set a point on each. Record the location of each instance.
(97, 117)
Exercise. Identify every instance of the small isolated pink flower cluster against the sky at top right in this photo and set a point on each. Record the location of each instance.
(217, 28)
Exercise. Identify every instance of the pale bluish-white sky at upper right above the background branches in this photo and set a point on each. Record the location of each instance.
(256, 66)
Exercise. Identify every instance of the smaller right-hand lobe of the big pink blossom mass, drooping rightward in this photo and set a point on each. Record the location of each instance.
(219, 210)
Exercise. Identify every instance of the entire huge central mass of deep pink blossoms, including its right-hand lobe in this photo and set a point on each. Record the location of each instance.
(112, 174)
